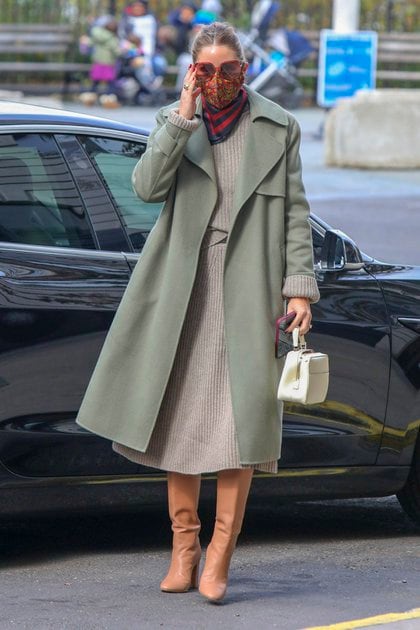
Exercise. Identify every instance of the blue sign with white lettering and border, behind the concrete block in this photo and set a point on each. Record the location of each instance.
(347, 63)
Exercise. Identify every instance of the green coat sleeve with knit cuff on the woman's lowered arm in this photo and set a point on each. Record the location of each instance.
(299, 276)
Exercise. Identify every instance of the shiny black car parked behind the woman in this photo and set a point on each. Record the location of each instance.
(71, 230)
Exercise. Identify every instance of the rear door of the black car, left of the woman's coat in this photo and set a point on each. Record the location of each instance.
(62, 275)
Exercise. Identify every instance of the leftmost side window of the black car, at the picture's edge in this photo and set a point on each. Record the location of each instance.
(39, 202)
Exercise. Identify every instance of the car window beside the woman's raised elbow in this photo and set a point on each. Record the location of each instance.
(115, 161)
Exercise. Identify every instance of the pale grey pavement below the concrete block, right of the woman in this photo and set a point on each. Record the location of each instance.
(379, 209)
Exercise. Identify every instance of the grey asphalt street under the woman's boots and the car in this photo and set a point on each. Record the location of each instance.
(296, 566)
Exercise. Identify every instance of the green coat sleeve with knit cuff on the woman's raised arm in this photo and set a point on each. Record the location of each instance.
(155, 172)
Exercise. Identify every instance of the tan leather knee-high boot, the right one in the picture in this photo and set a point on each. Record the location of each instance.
(232, 493)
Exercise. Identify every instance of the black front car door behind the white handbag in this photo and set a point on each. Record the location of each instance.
(350, 324)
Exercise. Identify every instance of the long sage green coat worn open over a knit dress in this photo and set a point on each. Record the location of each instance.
(268, 257)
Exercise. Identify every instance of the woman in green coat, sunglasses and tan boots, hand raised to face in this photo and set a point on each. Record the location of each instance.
(187, 378)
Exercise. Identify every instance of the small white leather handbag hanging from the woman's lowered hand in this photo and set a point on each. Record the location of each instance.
(305, 374)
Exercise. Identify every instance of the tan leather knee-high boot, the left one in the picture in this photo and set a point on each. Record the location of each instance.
(183, 495)
